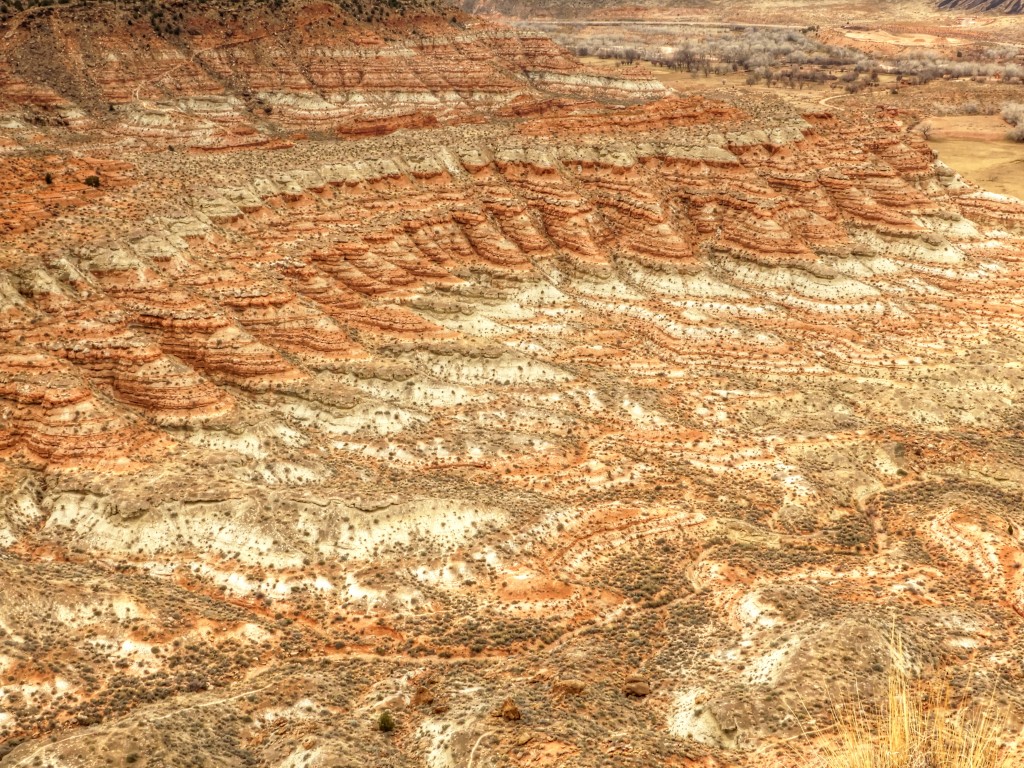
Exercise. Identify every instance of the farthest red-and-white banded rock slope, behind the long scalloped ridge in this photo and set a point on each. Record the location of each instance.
(217, 78)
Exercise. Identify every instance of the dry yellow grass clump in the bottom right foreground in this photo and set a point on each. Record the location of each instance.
(917, 727)
